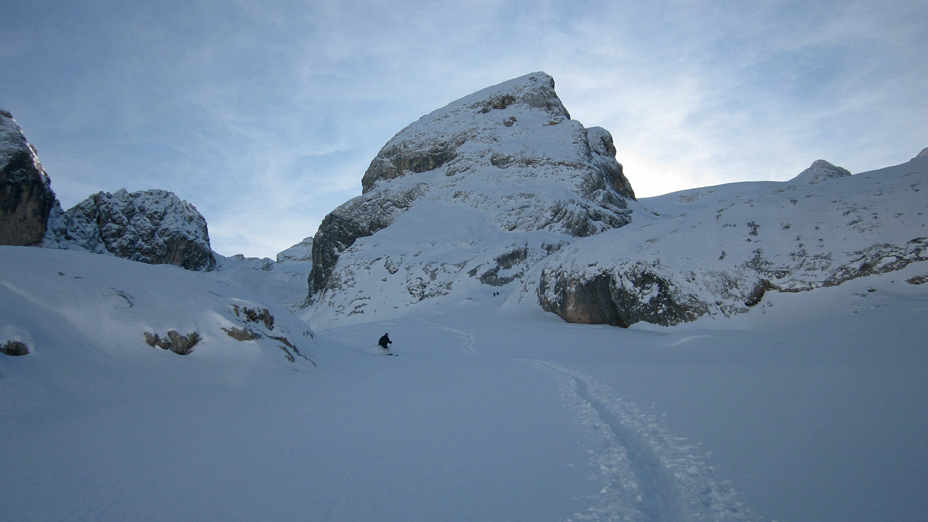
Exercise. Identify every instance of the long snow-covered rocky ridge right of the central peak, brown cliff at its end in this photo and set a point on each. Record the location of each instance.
(717, 251)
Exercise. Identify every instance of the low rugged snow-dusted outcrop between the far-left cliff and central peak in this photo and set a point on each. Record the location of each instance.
(150, 226)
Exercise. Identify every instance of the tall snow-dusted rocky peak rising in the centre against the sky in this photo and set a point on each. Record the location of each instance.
(479, 190)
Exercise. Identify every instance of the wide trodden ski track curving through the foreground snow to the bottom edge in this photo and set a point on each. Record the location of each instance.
(648, 474)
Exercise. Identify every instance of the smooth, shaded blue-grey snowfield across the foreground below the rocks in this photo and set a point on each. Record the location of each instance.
(811, 407)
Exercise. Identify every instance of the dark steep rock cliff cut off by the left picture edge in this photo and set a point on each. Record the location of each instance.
(26, 197)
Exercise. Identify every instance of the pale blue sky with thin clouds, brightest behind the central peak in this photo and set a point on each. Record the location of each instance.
(265, 115)
